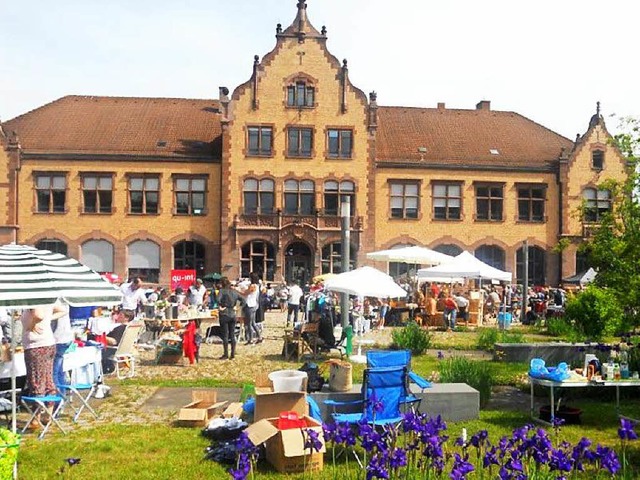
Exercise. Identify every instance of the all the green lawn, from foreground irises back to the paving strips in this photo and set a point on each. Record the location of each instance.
(122, 450)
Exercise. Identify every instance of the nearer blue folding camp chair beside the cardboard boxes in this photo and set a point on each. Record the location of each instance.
(383, 391)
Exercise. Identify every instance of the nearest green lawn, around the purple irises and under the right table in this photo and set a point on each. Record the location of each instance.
(166, 452)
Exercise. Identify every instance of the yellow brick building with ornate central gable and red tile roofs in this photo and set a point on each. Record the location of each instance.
(252, 181)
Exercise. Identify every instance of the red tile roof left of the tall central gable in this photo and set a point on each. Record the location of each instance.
(158, 127)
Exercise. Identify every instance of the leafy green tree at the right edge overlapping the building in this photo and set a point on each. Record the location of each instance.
(614, 249)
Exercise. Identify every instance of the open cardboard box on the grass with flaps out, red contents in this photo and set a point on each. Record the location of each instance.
(285, 448)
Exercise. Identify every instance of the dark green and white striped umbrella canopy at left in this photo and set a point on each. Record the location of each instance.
(30, 277)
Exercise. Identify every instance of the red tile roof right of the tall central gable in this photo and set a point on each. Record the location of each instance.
(465, 137)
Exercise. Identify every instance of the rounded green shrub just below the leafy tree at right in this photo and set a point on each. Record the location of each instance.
(596, 312)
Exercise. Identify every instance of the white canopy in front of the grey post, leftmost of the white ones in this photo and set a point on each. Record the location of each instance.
(366, 282)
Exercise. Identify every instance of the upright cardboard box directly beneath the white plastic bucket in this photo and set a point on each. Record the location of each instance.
(269, 404)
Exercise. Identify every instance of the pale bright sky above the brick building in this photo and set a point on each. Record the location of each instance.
(549, 60)
